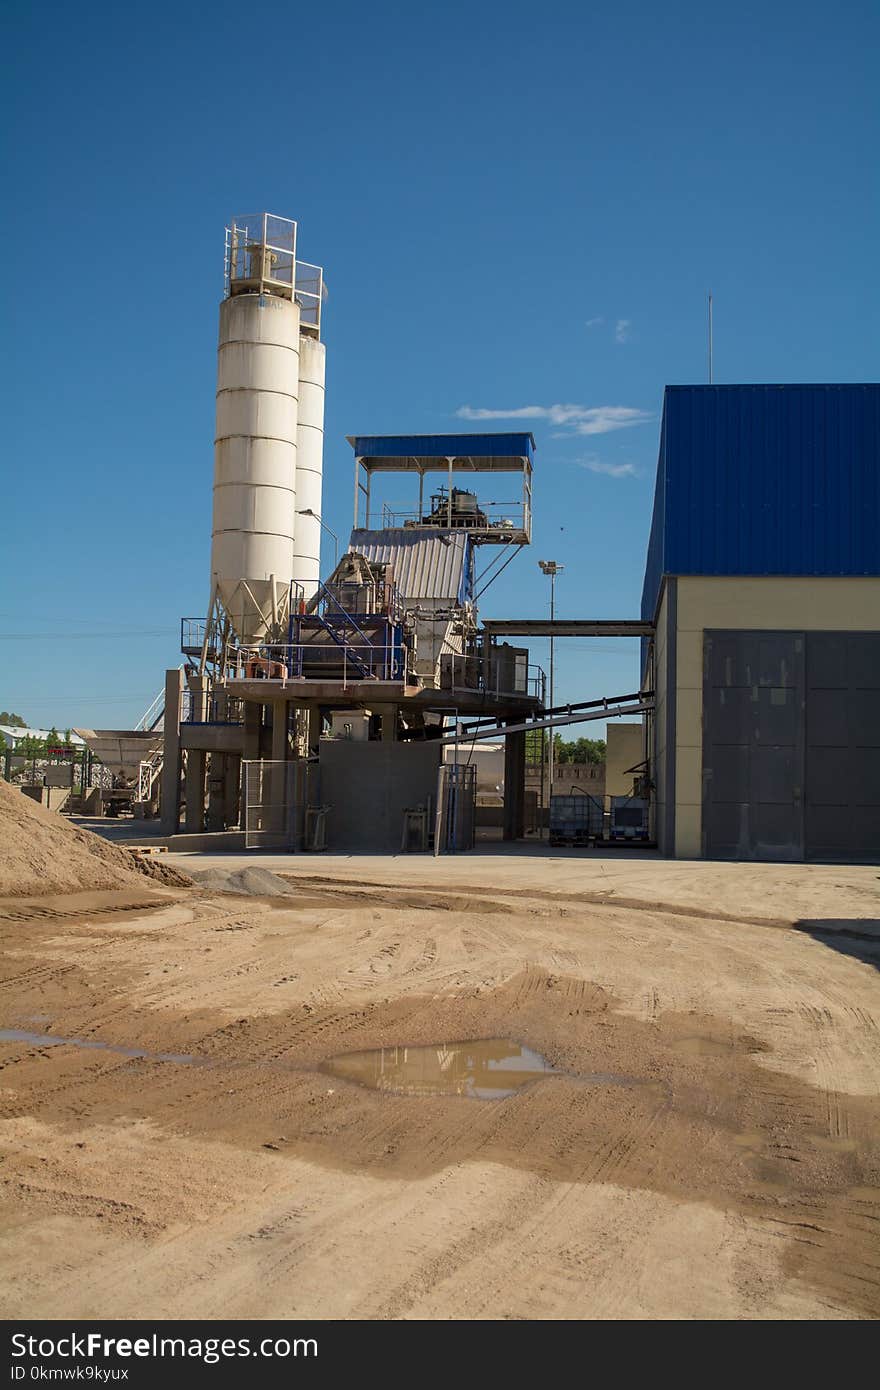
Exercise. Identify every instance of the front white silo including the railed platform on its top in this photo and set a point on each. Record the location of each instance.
(262, 333)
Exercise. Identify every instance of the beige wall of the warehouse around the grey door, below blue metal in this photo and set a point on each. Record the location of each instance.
(774, 604)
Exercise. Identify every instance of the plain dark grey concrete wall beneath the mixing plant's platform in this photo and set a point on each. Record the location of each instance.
(369, 787)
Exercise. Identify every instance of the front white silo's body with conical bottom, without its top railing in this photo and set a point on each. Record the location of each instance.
(255, 461)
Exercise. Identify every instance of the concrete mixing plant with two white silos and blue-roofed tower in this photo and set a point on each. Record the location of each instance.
(316, 712)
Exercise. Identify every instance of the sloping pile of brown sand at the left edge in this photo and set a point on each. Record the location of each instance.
(44, 853)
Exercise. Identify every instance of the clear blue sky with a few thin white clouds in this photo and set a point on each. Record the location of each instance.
(516, 206)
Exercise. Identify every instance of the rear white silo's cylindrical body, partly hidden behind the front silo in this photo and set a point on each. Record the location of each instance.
(309, 465)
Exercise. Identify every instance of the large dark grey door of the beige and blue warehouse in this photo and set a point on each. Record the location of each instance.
(792, 746)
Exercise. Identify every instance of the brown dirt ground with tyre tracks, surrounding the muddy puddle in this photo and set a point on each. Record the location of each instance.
(223, 1174)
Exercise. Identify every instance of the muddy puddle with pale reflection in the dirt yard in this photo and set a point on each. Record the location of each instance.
(487, 1071)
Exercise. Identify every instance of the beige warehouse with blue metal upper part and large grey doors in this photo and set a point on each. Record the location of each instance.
(763, 586)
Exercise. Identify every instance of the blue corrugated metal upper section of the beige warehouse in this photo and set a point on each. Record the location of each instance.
(767, 480)
